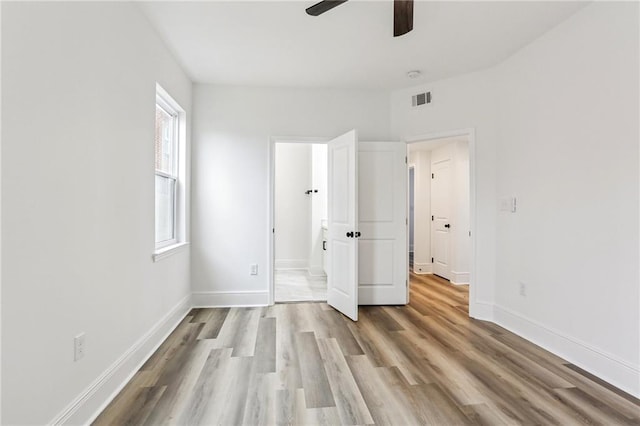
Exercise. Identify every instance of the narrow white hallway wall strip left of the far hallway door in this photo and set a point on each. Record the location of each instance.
(421, 160)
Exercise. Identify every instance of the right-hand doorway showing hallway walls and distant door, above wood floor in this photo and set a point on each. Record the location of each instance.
(441, 206)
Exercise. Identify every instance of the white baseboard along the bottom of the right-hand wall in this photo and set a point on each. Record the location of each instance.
(606, 366)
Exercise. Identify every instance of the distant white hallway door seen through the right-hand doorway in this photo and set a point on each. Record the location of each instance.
(441, 215)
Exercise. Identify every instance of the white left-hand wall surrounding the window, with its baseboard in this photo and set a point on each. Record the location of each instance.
(78, 101)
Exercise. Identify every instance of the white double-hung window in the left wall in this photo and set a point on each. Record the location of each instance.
(169, 145)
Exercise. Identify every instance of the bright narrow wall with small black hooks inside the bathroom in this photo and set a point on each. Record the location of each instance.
(319, 202)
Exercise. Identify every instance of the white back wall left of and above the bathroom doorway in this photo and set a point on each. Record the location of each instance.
(232, 131)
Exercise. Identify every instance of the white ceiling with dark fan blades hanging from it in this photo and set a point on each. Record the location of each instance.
(268, 43)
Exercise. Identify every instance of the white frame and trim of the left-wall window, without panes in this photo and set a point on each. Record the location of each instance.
(179, 153)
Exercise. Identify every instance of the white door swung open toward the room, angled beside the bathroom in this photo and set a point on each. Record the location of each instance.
(342, 246)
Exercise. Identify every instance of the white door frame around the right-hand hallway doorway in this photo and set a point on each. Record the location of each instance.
(470, 134)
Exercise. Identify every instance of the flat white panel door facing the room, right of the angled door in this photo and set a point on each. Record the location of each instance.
(382, 222)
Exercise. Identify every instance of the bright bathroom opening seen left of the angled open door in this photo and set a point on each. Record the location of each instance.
(300, 214)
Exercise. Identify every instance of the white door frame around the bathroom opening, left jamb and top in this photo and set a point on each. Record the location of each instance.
(271, 204)
